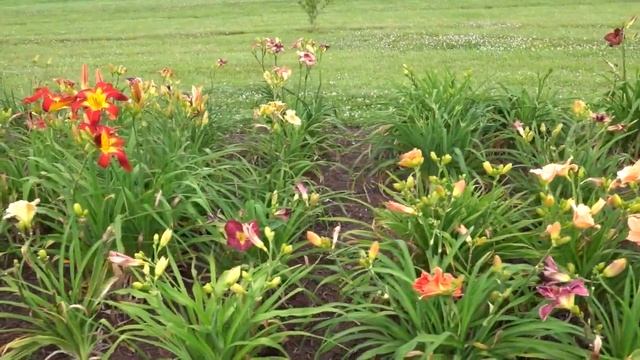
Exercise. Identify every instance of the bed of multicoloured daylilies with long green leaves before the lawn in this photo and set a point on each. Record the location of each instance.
(517, 235)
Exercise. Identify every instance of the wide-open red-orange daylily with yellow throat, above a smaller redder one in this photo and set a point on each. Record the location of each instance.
(98, 99)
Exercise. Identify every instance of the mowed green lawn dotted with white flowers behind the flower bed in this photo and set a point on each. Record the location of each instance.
(507, 41)
